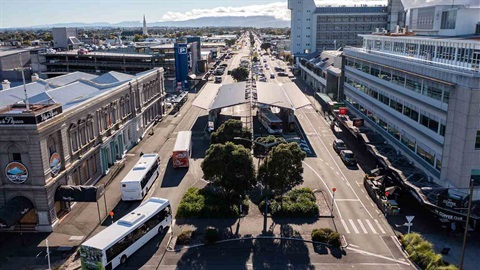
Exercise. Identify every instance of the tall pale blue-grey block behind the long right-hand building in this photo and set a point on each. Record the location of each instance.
(328, 28)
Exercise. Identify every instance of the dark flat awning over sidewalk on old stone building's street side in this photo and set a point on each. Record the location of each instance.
(78, 193)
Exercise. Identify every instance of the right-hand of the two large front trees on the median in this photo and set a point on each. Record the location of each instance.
(285, 168)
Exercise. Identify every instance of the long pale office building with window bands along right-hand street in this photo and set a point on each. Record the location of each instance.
(423, 92)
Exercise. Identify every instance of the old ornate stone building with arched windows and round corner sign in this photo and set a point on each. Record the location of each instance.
(75, 128)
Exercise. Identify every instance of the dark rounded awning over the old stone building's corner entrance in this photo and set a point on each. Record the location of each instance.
(14, 210)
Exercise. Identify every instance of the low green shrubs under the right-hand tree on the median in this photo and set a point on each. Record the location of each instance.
(299, 202)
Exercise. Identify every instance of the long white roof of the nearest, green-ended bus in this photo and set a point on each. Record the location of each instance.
(120, 228)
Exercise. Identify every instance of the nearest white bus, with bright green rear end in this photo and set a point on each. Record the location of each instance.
(116, 243)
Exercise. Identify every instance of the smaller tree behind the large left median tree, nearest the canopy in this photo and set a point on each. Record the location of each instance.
(229, 130)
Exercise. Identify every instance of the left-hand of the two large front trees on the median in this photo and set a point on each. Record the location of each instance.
(230, 167)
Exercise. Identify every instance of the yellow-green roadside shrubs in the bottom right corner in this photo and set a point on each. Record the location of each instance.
(421, 252)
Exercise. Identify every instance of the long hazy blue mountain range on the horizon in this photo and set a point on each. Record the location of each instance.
(226, 21)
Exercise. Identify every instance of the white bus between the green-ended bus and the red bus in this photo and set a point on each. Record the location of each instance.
(138, 181)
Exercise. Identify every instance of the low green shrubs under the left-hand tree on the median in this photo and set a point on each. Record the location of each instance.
(203, 203)
